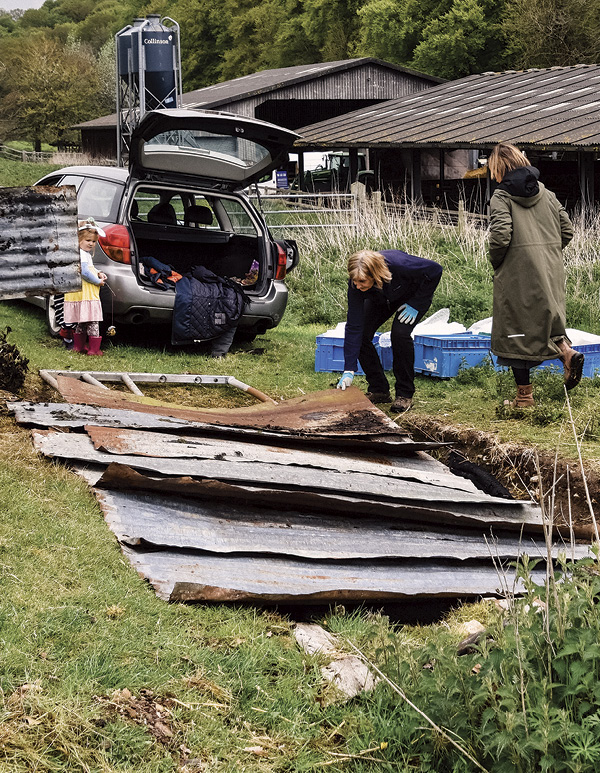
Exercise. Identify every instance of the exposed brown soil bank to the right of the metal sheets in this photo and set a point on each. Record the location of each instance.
(525, 471)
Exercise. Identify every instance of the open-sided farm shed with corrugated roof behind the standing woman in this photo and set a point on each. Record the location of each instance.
(431, 145)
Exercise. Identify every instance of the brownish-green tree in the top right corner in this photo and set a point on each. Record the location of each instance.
(547, 33)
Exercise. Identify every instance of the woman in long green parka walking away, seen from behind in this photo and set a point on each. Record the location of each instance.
(529, 229)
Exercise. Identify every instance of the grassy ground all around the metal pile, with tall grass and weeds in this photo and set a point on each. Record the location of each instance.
(99, 675)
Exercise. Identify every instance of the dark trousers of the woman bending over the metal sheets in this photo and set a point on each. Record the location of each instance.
(403, 350)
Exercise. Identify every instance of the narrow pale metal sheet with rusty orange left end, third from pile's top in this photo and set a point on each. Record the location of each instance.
(156, 444)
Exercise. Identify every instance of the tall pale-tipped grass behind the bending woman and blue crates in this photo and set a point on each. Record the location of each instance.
(319, 283)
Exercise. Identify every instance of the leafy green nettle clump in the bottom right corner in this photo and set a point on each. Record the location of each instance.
(526, 699)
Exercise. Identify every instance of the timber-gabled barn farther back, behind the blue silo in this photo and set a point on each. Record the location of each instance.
(290, 96)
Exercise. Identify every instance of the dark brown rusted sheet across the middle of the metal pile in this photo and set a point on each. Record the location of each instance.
(516, 516)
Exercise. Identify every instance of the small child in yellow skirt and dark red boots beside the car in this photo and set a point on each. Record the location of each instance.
(83, 307)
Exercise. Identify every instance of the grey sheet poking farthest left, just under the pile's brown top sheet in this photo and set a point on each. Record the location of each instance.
(73, 415)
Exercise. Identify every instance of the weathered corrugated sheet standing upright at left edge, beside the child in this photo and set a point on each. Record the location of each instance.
(39, 250)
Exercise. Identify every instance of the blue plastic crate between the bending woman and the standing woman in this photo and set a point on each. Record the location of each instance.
(443, 356)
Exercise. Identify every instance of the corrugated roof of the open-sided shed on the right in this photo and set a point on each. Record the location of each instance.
(555, 108)
